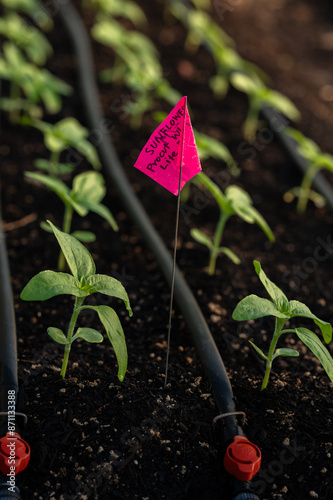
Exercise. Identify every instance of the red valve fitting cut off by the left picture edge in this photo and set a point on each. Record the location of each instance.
(14, 453)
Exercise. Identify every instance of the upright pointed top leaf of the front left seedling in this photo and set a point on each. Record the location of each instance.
(77, 256)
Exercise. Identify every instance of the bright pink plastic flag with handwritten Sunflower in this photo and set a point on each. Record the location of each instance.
(170, 147)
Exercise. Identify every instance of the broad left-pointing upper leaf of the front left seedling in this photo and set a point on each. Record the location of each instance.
(47, 284)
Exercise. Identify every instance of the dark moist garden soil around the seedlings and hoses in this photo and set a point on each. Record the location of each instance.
(94, 437)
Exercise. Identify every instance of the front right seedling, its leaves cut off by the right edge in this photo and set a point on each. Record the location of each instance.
(253, 307)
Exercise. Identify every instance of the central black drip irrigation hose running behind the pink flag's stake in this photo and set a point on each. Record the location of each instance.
(209, 355)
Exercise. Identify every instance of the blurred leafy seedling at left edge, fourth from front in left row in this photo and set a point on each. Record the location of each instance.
(29, 85)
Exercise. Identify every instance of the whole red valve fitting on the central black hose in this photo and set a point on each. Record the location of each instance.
(242, 459)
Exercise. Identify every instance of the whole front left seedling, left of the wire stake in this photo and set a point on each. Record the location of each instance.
(82, 283)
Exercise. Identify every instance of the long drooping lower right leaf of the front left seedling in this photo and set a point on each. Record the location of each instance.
(116, 336)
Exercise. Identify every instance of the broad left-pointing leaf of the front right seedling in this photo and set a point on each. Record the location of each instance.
(253, 307)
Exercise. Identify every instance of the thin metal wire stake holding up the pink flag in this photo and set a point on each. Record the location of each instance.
(175, 248)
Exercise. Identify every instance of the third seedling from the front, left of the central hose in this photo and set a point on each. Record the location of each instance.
(67, 134)
